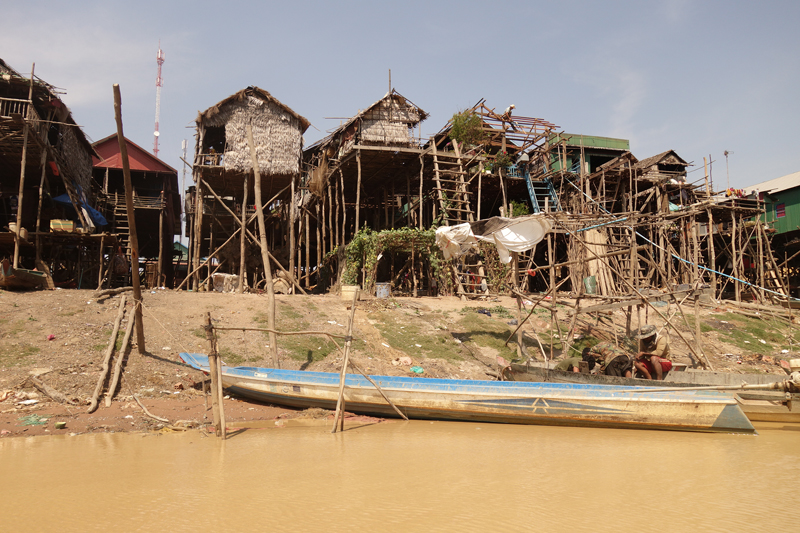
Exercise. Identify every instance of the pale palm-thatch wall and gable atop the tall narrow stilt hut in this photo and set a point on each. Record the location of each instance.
(277, 132)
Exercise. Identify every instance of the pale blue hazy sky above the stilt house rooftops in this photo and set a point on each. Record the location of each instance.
(696, 77)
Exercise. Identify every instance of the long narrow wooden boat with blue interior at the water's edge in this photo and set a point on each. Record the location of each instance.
(489, 401)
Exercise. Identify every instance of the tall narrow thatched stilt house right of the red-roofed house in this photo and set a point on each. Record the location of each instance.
(222, 200)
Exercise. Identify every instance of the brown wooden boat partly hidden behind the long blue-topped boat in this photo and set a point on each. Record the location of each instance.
(758, 405)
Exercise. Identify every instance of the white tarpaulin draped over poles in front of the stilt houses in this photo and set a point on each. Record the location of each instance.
(509, 235)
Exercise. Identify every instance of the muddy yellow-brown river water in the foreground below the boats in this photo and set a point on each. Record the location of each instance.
(403, 476)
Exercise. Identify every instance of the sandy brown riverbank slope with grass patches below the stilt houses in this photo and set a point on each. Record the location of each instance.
(61, 337)
